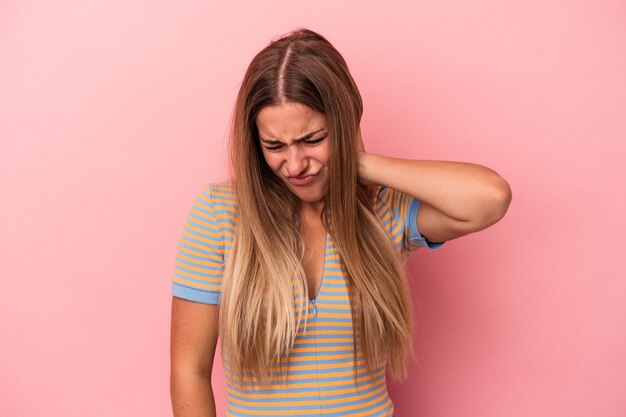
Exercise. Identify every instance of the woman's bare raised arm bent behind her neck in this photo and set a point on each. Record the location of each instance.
(457, 198)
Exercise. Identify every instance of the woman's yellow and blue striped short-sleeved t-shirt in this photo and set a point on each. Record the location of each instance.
(321, 378)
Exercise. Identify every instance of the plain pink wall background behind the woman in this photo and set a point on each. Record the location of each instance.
(114, 114)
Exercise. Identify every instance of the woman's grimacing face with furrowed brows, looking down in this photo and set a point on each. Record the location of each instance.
(295, 145)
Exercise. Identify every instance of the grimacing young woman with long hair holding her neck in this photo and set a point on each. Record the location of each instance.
(297, 260)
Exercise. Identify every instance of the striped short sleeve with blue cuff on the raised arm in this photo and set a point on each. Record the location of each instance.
(398, 214)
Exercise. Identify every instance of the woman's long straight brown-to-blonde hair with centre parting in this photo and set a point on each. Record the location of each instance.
(263, 275)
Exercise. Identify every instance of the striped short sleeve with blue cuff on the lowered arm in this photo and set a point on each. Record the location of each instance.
(206, 234)
